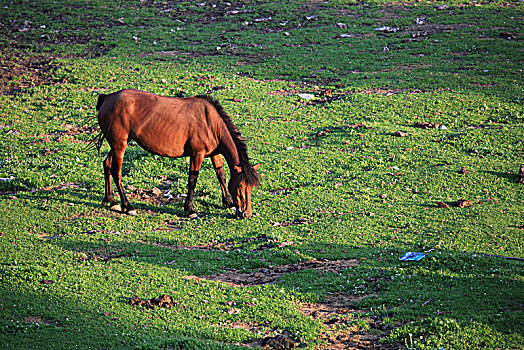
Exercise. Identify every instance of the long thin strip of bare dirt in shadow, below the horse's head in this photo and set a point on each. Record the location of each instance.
(272, 275)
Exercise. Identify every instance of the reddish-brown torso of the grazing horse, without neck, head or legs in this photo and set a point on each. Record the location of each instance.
(166, 126)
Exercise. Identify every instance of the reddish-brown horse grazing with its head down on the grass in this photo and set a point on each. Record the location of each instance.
(195, 127)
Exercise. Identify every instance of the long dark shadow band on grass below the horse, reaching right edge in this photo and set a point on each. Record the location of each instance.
(444, 284)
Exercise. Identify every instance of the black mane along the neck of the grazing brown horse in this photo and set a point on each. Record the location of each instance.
(248, 174)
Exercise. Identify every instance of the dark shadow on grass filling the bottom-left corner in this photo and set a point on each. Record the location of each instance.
(46, 319)
